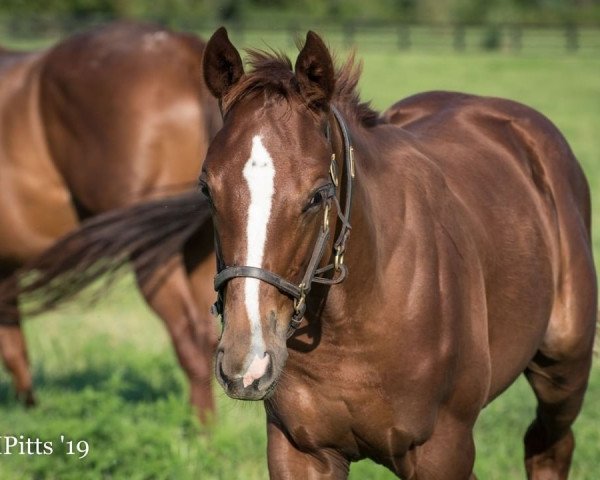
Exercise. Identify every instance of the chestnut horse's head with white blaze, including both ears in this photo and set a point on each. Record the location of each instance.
(267, 174)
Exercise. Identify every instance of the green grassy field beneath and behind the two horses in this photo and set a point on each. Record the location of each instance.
(108, 376)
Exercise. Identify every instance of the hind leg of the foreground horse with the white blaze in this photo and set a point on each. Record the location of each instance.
(558, 375)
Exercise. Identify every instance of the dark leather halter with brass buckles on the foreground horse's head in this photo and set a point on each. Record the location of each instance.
(313, 274)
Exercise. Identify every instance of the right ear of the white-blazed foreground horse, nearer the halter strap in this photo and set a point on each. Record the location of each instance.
(314, 71)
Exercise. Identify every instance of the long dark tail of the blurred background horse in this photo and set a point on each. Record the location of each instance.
(145, 235)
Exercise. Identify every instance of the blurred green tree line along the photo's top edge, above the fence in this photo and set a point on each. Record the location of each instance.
(414, 11)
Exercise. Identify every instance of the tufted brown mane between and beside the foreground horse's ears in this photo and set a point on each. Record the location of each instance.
(271, 72)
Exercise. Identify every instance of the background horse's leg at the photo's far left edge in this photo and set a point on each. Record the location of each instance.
(13, 351)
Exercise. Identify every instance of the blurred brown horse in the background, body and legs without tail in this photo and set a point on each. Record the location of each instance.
(100, 121)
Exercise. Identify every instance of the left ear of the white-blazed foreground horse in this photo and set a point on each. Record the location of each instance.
(222, 64)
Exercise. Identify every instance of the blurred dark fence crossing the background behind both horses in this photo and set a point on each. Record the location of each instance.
(509, 38)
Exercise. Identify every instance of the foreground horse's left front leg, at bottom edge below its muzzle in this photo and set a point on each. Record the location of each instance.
(286, 462)
